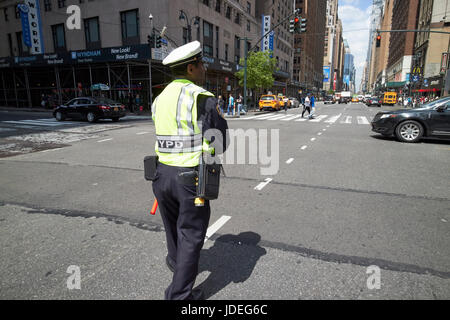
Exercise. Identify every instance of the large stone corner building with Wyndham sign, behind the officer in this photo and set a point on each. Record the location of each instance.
(110, 46)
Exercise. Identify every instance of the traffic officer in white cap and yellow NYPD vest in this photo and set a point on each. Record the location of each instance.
(182, 114)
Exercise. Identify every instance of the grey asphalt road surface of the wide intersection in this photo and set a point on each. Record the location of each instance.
(341, 200)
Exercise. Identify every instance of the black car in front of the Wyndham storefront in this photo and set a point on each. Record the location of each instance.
(90, 109)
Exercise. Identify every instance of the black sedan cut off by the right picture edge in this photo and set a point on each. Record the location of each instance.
(410, 125)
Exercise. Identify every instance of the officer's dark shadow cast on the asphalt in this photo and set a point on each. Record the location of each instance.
(231, 259)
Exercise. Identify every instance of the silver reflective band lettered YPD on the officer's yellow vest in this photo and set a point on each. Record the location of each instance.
(180, 144)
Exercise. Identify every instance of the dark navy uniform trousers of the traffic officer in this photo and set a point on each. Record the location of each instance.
(185, 225)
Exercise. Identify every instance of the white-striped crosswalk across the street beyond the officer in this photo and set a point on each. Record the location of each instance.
(360, 120)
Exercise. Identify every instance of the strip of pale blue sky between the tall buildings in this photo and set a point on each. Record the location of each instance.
(355, 17)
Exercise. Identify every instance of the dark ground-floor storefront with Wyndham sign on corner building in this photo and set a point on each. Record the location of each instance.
(63, 76)
